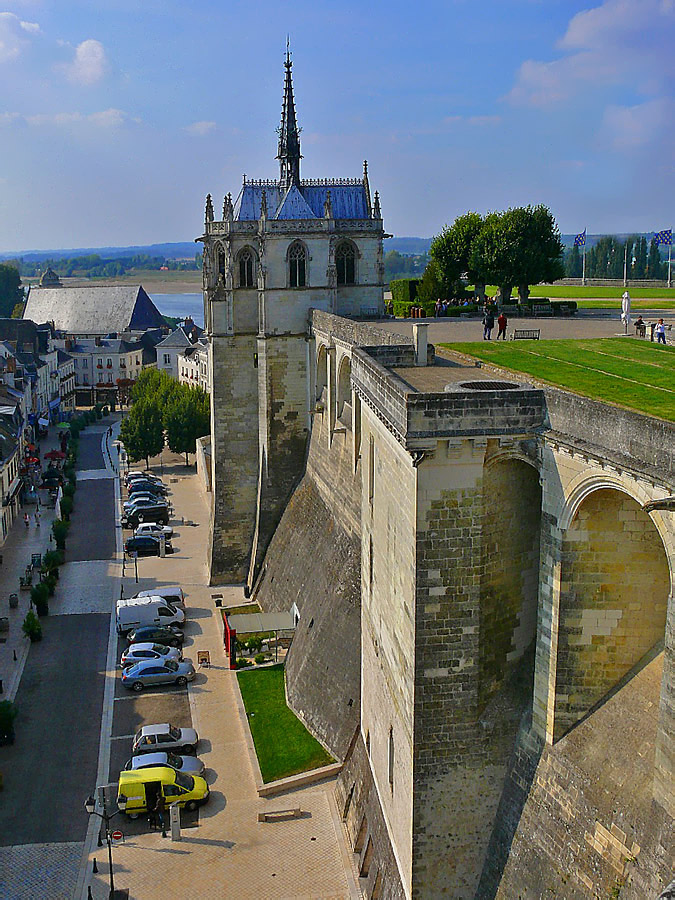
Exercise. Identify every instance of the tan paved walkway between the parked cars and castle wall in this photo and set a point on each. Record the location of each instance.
(229, 853)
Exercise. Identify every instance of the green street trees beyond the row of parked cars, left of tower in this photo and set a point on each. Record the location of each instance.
(164, 411)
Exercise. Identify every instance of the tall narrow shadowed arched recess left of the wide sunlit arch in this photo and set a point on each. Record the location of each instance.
(512, 500)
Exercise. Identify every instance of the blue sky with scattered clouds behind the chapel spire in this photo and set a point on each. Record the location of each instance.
(116, 118)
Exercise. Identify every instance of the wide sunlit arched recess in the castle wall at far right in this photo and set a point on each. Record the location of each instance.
(615, 580)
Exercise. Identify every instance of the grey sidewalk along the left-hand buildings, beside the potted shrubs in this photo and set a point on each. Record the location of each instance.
(16, 552)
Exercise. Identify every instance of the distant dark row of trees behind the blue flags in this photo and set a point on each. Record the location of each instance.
(607, 257)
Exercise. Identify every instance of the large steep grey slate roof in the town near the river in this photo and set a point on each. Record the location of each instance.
(93, 310)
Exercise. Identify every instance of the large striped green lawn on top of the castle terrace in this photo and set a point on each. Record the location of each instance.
(628, 372)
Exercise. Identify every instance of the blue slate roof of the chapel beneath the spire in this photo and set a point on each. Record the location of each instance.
(349, 201)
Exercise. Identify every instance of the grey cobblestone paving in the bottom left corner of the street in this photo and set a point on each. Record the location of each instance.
(38, 871)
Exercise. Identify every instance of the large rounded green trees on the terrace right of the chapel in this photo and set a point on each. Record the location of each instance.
(512, 249)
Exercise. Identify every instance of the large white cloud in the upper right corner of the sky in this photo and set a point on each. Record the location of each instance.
(618, 43)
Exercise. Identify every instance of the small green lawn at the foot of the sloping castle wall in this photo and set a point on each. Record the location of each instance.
(283, 744)
